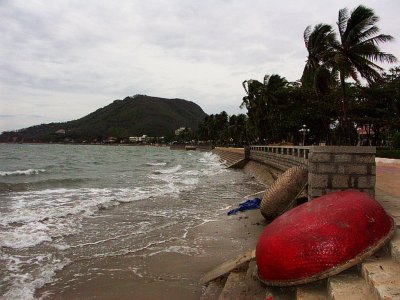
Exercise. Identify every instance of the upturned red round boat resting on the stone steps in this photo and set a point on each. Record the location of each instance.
(321, 238)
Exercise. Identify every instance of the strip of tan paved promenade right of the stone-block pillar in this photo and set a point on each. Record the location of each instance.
(387, 189)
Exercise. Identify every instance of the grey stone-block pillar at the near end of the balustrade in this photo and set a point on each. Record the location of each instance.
(336, 168)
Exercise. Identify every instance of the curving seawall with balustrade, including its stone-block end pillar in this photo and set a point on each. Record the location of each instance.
(330, 168)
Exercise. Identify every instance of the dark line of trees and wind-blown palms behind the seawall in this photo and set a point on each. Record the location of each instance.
(342, 88)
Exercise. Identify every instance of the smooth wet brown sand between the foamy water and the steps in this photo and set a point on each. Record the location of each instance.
(177, 275)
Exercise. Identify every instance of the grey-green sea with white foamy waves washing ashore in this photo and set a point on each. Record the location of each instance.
(61, 205)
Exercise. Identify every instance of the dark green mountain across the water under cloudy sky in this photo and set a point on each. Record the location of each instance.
(134, 116)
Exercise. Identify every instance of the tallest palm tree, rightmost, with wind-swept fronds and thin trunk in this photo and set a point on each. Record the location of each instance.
(358, 50)
